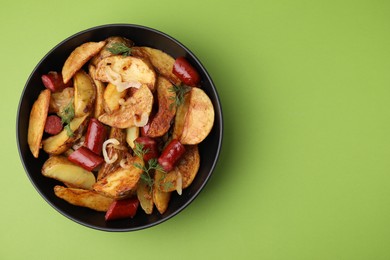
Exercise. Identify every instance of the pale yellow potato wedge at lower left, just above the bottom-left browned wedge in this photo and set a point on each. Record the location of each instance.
(61, 169)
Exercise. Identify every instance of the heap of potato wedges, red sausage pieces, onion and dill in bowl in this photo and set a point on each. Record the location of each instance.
(121, 125)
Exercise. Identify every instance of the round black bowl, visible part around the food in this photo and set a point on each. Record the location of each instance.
(54, 60)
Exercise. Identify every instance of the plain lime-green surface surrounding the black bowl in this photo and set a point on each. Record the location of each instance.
(304, 172)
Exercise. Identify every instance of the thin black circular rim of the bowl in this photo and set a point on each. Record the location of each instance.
(219, 134)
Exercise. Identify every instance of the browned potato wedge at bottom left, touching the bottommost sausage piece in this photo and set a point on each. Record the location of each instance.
(84, 198)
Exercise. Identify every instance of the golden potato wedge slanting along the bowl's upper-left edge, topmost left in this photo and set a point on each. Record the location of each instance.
(78, 57)
